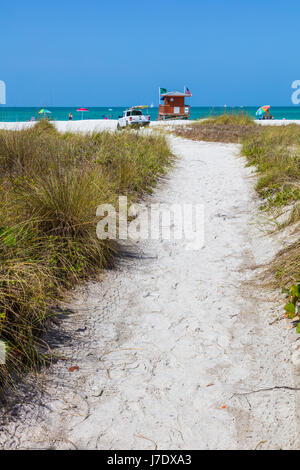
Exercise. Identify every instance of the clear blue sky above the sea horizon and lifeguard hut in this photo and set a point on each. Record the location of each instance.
(117, 52)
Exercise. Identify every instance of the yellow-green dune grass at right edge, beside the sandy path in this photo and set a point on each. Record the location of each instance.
(276, 154)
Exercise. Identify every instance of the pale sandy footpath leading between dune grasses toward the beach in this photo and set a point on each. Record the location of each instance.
(165, 342)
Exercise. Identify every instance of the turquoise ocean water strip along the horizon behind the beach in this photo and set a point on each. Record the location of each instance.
(14, 114)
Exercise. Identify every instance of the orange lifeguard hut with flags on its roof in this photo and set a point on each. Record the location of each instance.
(174, 106)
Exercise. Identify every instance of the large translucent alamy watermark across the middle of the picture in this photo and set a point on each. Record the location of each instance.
(156, 222)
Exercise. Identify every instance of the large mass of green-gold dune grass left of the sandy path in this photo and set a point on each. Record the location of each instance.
(51, 185)
